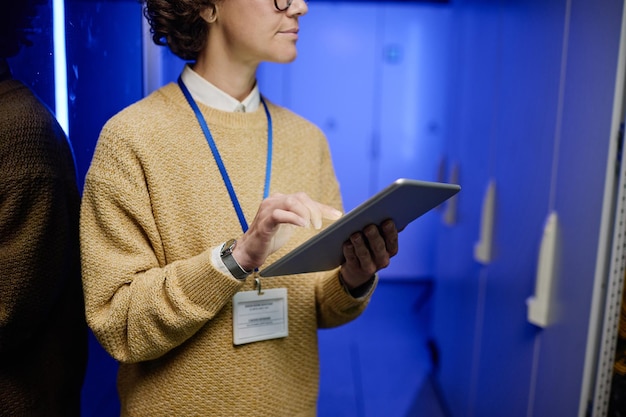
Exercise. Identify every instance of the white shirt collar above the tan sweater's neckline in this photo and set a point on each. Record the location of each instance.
(208, 94)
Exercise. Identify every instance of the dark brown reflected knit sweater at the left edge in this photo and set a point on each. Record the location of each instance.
(43, 334)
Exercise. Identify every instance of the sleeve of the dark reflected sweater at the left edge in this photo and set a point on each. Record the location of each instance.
(39, 205)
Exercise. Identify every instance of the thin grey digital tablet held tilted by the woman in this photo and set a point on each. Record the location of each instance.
(403, 201)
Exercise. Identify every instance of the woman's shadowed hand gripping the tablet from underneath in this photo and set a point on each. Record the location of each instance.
(367, 252)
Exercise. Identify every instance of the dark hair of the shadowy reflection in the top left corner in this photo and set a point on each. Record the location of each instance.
(16, 24)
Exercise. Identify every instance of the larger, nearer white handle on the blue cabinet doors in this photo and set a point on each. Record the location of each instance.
(539, 305)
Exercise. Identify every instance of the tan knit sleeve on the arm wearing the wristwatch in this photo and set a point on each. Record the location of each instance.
(139, 304)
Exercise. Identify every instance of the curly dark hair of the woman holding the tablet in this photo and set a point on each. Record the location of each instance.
(178, 25)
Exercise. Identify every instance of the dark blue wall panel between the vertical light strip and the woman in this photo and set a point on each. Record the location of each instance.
(104, 67)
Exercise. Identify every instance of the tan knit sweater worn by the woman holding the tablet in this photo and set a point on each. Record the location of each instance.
(154, 206)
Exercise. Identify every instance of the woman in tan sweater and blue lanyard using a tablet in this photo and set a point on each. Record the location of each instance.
(169, 234)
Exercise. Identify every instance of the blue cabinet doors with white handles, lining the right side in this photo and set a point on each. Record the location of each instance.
(530, 106)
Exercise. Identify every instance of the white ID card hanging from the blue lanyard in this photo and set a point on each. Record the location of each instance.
(260, 316)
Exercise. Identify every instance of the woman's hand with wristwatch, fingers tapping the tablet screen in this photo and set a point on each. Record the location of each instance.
(275, 222)
